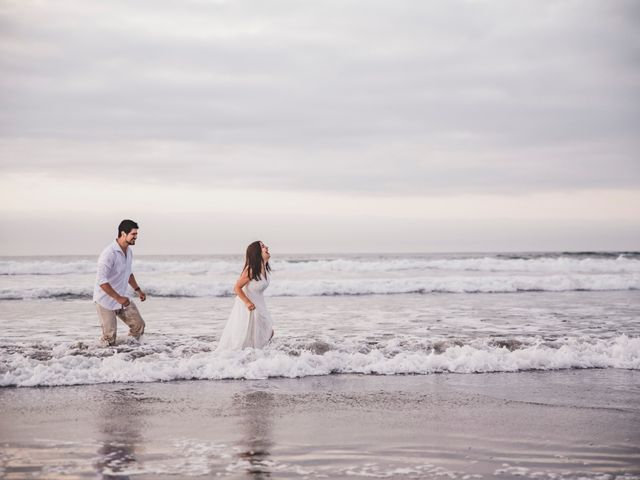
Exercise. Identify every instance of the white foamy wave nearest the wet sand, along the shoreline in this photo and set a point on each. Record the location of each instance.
(44, 364)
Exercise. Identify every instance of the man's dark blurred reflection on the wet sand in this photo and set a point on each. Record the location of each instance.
(119, 421)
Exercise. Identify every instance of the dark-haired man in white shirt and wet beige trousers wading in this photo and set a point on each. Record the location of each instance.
(114, 274)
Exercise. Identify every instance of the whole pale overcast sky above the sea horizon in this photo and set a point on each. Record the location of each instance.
(317, 127)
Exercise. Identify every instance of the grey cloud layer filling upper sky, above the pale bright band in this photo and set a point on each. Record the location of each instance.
(350, 96)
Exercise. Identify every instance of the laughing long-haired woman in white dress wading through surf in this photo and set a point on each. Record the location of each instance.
(250, 324)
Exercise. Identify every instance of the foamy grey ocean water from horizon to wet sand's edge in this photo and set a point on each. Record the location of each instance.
(374, 314)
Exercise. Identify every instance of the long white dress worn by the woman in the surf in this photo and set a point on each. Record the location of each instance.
(248, 328)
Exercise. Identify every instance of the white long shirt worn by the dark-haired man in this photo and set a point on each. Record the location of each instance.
(115, 269)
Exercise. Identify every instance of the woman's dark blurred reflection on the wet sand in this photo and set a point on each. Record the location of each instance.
(255, 411)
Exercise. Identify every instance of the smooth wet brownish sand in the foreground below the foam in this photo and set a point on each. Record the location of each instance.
(555, 425)
